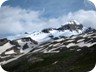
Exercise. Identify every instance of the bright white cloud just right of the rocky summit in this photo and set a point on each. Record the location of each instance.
(87, 18)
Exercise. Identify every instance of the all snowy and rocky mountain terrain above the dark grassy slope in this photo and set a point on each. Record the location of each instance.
(49, 40)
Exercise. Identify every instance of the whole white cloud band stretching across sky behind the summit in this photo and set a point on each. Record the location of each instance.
(17, 20)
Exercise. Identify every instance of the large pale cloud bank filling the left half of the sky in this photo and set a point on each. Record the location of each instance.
(16, 20)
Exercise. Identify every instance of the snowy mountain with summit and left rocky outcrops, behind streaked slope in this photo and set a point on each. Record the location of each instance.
(23, 43)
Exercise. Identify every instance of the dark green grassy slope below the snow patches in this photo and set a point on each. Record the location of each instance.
(67, 61)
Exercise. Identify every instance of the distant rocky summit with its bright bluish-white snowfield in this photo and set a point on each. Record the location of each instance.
(69, 28)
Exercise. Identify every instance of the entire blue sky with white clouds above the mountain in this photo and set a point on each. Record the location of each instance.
(19, 16)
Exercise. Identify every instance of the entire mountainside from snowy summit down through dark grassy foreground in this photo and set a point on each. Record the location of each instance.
(69, 48)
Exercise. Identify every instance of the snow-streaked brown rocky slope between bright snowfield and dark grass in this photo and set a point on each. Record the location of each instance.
(20, 47)
